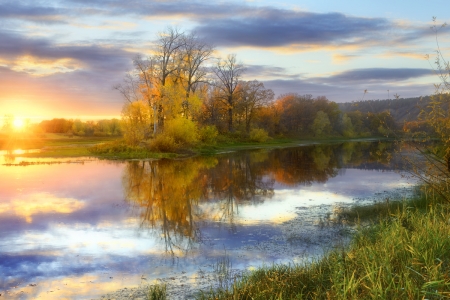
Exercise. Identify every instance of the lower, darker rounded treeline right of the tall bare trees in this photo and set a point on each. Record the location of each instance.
(305, 116)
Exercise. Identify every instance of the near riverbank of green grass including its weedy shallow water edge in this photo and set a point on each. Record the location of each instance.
(404, 254)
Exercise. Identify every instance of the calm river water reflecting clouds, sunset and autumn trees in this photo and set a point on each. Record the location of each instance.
(82, 229)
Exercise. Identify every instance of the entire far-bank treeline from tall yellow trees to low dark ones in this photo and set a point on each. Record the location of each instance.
(180, 95)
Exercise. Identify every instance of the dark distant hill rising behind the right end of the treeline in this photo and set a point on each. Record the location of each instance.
(403, 109)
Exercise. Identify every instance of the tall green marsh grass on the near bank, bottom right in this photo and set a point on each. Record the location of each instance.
(406, 255)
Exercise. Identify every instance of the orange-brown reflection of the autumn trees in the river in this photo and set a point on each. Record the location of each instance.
(174, 196)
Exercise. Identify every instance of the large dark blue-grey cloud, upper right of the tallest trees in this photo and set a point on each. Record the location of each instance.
(269, 27)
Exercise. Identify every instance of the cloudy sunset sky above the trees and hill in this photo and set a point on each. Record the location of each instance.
(61, 58)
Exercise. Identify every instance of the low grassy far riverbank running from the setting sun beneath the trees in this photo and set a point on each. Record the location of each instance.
(62, 146)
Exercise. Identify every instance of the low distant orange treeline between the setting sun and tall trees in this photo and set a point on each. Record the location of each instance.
(77, 127)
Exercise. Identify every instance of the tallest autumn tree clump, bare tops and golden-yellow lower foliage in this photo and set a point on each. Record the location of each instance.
(167, 80)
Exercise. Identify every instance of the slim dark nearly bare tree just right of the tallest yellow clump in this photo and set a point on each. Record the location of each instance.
(228, 72)
